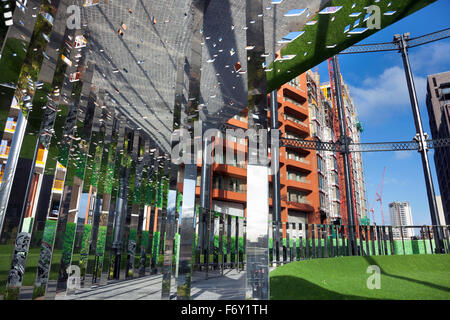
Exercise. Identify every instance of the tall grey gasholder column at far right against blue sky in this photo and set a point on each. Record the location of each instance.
(420, 135)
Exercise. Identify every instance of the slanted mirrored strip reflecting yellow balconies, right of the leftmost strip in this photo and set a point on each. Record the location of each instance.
(44, 189)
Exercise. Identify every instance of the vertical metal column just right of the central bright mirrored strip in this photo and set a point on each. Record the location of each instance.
(275, 155)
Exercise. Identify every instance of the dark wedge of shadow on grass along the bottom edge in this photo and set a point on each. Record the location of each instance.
(293, 288)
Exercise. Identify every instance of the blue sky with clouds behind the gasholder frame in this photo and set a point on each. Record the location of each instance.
(378, 87)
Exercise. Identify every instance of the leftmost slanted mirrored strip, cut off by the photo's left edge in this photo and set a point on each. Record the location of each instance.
(20, 116)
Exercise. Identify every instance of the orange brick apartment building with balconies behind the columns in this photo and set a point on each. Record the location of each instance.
(309, 188)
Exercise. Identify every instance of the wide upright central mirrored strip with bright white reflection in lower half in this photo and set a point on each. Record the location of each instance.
(257, 270)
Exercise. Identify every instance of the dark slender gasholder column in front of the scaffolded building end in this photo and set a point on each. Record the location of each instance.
(345, 140)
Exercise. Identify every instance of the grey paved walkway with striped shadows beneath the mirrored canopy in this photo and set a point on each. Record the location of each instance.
(230, 286)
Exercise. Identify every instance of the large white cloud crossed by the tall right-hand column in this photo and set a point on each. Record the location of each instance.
(379, 96)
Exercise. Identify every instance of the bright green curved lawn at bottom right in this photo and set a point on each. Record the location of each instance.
(410, 277)
